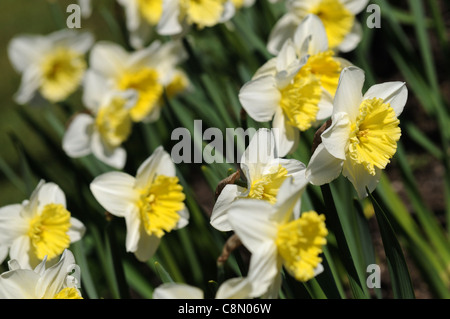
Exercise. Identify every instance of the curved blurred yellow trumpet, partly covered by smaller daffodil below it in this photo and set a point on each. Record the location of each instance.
(145, 82)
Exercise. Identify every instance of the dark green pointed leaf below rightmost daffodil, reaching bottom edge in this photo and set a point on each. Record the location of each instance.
(398, 269)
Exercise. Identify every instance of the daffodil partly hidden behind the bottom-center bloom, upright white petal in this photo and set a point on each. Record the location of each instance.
(264, 173)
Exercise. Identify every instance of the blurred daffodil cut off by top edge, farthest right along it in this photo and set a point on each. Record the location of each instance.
(343, 30)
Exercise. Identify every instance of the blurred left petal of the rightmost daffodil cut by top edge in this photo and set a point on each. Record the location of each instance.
(283, 29)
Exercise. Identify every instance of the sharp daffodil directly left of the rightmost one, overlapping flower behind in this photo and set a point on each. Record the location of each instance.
(291, 98)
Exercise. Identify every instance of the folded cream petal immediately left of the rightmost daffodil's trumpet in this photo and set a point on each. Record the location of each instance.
(335, 138)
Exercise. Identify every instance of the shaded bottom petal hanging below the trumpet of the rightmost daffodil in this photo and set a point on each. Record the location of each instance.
(361, 178)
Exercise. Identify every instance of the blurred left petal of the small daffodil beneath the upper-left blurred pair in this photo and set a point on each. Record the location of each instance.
(76, 141)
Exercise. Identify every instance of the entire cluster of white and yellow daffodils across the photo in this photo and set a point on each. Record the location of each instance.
(306, 85)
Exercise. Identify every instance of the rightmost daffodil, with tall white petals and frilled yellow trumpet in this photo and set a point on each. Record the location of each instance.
(363, 134)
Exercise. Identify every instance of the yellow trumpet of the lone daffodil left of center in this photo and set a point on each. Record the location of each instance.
(159, 206)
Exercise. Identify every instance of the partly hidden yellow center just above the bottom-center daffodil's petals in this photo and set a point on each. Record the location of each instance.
(267, 186)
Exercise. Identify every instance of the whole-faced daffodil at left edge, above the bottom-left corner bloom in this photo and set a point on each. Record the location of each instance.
(38, 228)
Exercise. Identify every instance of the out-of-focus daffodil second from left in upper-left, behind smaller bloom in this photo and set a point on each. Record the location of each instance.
(150, 72)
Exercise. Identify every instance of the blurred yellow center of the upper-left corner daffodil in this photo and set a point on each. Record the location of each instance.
(62, 71)
